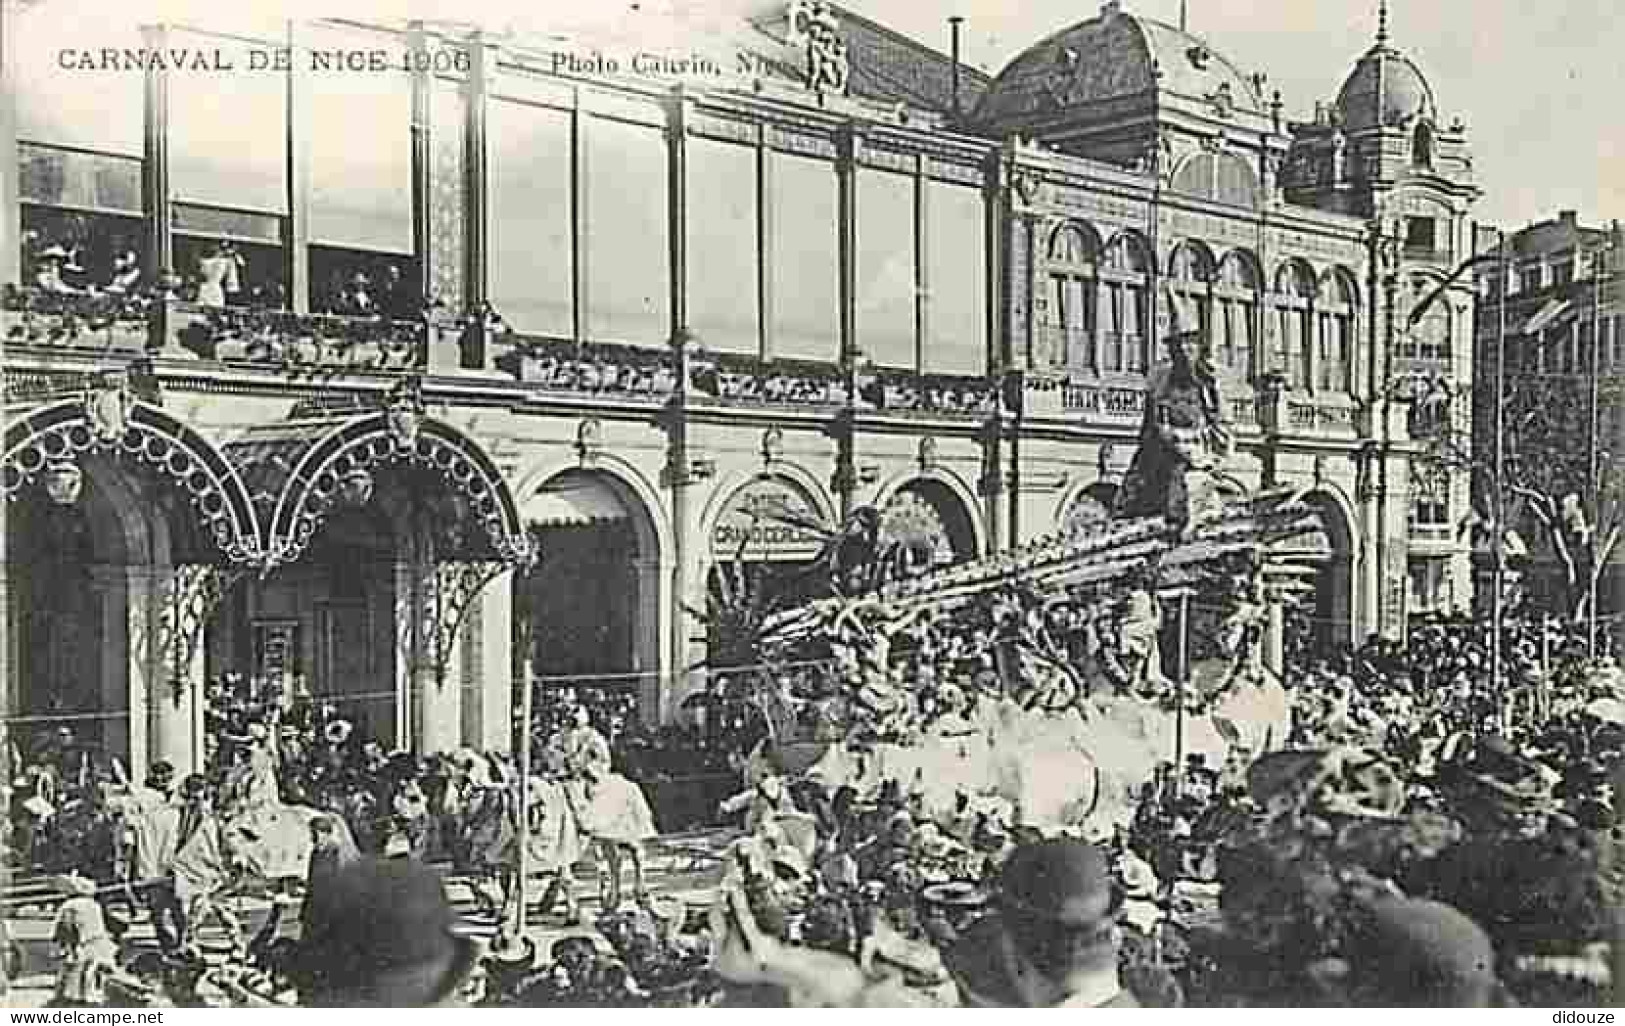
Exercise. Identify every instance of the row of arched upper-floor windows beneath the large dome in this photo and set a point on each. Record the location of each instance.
(1098, 310)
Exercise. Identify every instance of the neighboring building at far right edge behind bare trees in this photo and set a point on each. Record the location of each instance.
(1558, 303)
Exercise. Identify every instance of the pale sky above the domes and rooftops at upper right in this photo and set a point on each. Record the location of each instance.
(1541, 85)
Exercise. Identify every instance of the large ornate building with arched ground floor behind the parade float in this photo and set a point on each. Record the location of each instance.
(852, 274)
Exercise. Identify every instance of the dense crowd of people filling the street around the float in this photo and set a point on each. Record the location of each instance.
(1411, 845)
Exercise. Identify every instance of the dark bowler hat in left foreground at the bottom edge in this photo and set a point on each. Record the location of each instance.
(384, 937)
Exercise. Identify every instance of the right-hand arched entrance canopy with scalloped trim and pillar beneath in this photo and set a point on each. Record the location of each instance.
(386, 526)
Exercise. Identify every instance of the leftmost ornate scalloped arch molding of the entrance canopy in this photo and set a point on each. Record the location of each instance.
(113, 424)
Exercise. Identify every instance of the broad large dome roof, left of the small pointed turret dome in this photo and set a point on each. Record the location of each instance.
(1111, 56)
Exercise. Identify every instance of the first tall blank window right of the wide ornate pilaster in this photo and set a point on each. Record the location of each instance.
(532, 253)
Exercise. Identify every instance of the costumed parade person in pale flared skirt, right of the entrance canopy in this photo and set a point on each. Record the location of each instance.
(613, 811)
